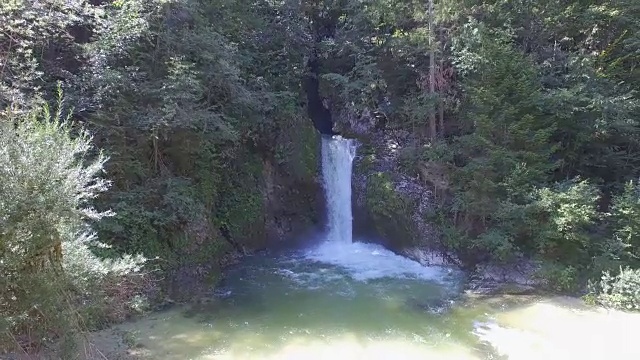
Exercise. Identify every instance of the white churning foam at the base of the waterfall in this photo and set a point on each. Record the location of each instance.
(366, 262)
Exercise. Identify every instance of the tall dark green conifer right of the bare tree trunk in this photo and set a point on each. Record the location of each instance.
(504, 156)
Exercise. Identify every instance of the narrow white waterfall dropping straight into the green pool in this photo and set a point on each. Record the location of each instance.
(337, 163)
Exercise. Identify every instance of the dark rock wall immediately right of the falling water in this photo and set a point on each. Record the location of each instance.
(391, 207)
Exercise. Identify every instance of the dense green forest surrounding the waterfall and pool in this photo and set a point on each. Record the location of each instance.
(194, 121)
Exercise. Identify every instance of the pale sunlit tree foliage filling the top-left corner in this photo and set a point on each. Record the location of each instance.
(37, 46)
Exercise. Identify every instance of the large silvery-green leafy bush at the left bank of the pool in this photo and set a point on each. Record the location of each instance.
(48, 178)
